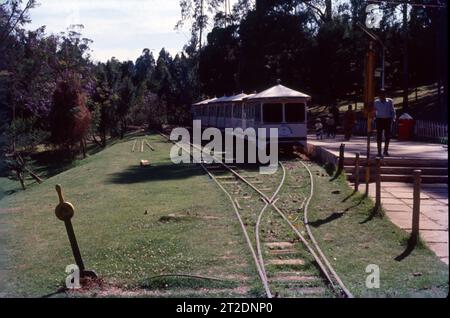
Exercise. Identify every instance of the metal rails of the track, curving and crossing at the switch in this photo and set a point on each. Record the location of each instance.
(219, 171)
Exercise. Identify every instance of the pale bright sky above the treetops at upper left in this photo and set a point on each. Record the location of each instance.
(119, 28)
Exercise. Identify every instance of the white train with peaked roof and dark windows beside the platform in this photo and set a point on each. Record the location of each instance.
(277, 107)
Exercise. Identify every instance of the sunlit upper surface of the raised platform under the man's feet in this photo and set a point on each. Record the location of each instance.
(397, 149)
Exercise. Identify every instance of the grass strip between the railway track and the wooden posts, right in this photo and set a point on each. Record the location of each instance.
(352, 239)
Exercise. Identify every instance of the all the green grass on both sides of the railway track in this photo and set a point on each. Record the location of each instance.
(190, 228)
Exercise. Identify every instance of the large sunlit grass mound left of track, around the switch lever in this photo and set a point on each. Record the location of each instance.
(111, 193)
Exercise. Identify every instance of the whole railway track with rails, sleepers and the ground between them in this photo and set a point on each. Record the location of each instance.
(287, 258)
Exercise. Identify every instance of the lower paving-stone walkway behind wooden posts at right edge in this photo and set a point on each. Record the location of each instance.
(397, 201)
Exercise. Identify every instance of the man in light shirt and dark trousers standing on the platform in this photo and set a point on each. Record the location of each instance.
(385, 116)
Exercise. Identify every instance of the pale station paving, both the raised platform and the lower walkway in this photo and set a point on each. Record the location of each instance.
(397, 197)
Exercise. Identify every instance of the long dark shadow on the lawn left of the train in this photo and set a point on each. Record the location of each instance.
(138, 174)
